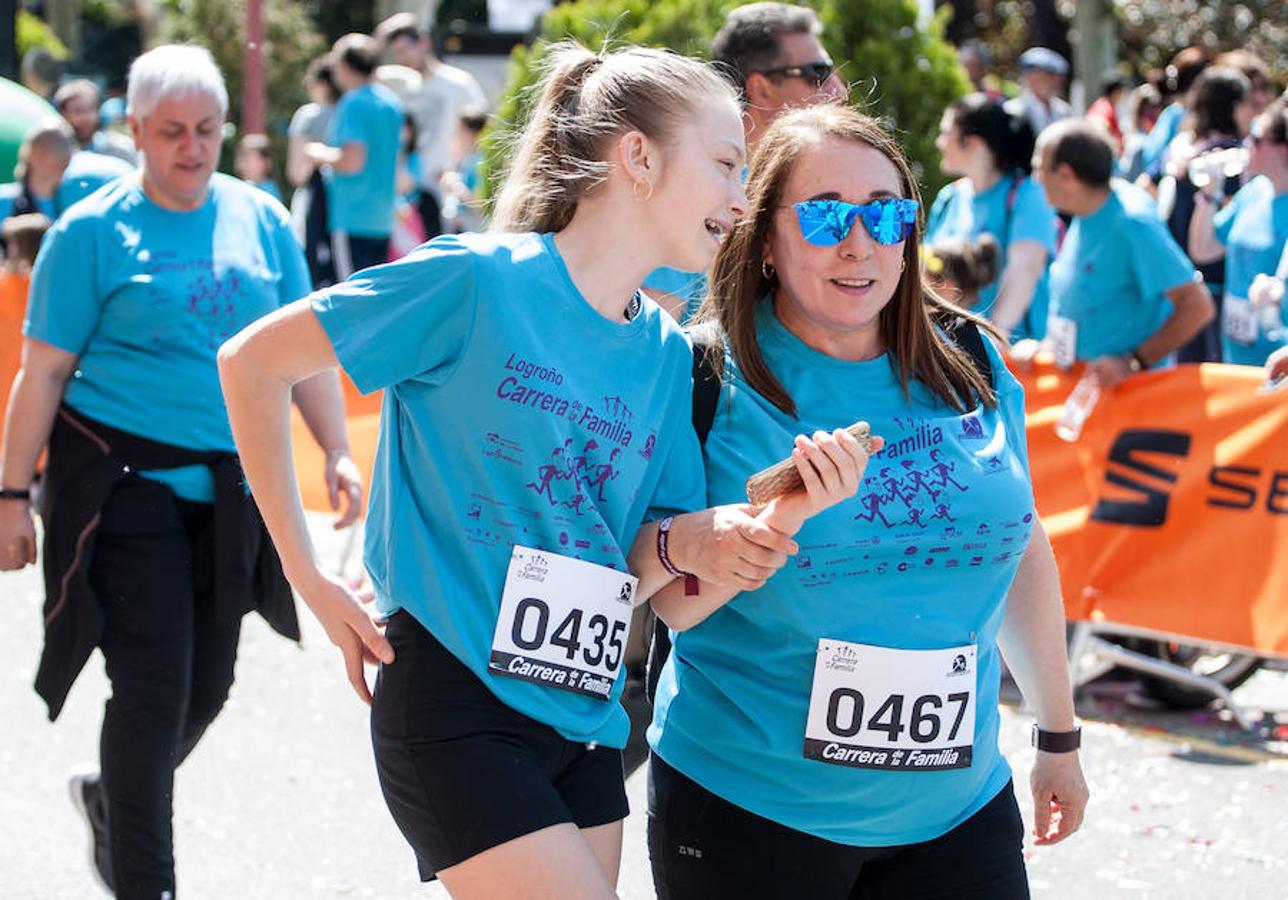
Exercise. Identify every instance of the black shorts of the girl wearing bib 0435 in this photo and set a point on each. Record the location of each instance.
(462, 772)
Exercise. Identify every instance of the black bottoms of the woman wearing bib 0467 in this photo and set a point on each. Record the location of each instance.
(703, 847)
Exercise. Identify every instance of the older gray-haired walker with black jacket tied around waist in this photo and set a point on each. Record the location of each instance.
(153, 549)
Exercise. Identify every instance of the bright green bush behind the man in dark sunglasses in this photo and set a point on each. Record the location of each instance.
(898, 71)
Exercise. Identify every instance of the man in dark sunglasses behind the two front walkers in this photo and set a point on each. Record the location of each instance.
(772, 53)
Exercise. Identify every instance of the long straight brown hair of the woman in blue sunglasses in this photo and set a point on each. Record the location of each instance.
(909, 325)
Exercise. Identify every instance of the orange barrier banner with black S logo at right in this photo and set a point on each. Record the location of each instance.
(1169, 511)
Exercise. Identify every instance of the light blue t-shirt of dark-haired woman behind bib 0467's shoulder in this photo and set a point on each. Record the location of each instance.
(1026, 216)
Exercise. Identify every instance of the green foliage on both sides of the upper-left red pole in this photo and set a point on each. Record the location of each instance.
(290, 42)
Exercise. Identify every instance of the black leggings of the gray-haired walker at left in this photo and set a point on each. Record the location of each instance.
(171, 662)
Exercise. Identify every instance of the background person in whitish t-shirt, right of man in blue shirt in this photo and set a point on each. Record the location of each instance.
(435, 95)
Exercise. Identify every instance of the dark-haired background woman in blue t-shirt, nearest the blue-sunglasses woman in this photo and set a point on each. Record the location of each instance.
(994, 150)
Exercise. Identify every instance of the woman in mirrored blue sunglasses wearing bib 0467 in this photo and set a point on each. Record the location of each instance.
(835, 733)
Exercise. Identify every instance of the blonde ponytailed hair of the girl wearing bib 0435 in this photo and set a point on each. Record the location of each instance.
(585, 101)
